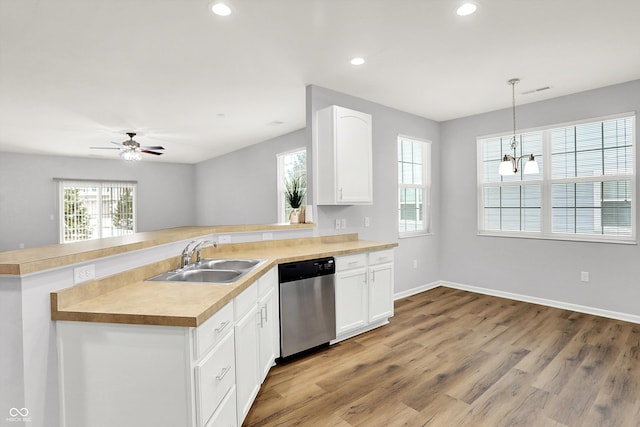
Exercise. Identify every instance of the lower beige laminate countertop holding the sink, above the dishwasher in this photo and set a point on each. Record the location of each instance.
(128, 298)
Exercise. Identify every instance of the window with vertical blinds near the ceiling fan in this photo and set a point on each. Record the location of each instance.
(96, 209)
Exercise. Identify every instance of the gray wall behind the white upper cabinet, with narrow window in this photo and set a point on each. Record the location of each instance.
(388, 123)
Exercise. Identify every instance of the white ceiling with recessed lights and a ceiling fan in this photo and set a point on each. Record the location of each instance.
(80, 73)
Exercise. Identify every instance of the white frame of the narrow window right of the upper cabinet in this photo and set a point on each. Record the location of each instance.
(425, 186)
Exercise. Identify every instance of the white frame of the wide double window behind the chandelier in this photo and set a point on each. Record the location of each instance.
(547, 181)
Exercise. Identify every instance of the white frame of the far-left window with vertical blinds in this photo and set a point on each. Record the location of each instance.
(64, 183)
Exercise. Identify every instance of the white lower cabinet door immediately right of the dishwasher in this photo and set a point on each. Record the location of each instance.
(351, 300)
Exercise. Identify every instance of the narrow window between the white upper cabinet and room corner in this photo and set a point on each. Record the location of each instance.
(414, 183)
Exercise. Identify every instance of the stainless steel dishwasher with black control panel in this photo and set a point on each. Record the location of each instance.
(307, 305)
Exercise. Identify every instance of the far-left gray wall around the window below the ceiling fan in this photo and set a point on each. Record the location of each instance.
(28, 194)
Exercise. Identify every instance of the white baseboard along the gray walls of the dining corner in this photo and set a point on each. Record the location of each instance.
(626, 317)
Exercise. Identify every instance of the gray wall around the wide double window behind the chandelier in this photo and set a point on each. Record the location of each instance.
(540, 268)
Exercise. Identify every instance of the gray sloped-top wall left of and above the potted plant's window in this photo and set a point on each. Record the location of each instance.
(240, 187)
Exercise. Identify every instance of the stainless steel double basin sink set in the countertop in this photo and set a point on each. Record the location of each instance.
(214, 270)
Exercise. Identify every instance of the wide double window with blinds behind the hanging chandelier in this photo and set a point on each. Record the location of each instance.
(584, 191)
